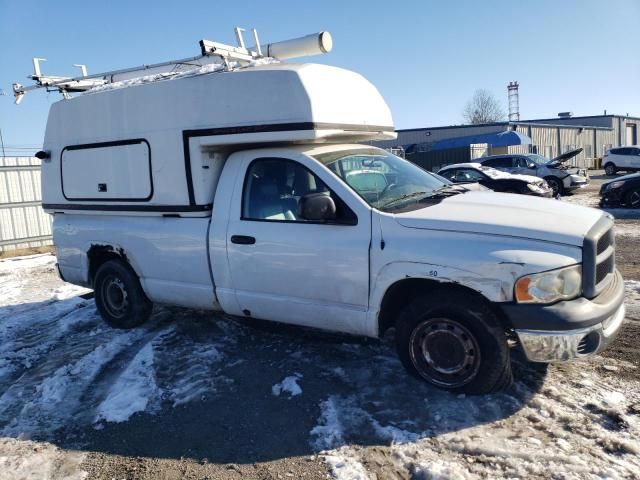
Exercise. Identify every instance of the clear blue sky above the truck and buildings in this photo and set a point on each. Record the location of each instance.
(426, 57)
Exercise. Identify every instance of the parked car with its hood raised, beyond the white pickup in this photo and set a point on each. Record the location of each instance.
(561, 178)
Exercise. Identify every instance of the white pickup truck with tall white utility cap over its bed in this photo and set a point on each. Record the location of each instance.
(242, 190)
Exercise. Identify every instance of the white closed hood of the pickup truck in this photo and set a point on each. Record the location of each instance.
(509, 215)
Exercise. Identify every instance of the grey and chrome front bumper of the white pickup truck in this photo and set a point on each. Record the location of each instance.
(571, 329)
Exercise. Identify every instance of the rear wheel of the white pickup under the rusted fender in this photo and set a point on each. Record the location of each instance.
(119, 296)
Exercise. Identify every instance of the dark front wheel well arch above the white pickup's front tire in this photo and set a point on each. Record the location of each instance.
(402, 292)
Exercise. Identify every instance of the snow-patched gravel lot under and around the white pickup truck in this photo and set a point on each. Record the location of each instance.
(193, 395)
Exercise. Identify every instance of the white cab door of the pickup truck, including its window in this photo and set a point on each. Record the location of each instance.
(288, 269)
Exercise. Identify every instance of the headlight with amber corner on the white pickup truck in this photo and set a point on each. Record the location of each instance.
(551, 286)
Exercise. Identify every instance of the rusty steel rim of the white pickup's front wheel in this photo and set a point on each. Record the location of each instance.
(444, 352)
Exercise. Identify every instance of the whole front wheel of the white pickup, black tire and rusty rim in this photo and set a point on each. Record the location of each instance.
(466, 339)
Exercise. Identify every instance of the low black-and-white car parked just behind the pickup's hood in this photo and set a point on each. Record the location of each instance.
(496, 180)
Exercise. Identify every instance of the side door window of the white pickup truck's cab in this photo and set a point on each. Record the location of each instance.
(274, 187)
